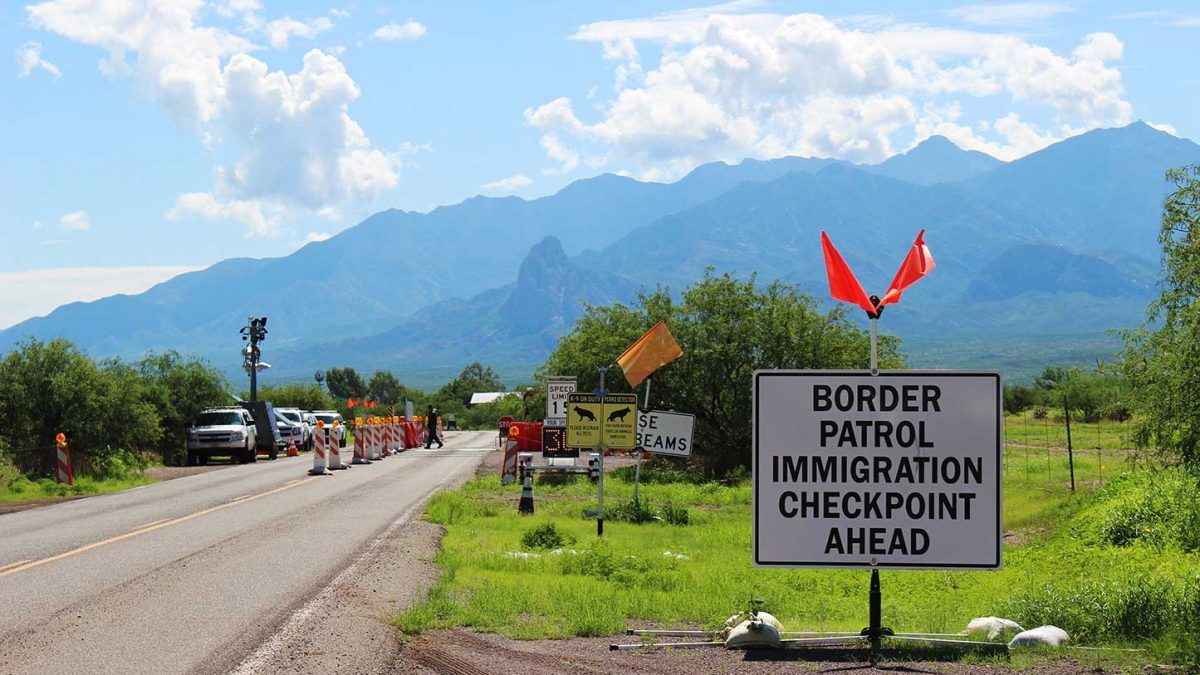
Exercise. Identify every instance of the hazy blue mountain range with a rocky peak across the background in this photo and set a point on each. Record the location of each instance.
(1051, 249)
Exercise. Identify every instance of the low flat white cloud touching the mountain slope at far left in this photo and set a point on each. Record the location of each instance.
(26, 295)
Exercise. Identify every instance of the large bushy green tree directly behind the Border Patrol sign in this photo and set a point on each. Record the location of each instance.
(728, 330)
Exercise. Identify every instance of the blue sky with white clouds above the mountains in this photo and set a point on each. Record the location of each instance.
(146, 138)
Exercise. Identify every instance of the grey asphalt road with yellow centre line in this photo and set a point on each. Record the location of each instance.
(194, 575)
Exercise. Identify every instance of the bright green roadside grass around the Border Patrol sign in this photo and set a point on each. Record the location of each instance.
(1055, 568)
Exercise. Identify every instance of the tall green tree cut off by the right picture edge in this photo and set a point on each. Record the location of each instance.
(1162, 360)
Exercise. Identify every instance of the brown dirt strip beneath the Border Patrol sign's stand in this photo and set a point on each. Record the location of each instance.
(464, 653)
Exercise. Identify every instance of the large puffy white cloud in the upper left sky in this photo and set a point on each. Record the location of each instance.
(290, 138)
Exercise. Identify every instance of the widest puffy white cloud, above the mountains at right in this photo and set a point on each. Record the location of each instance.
(731, 86)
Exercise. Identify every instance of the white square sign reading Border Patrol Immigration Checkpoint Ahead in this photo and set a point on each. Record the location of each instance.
(898, 470)
